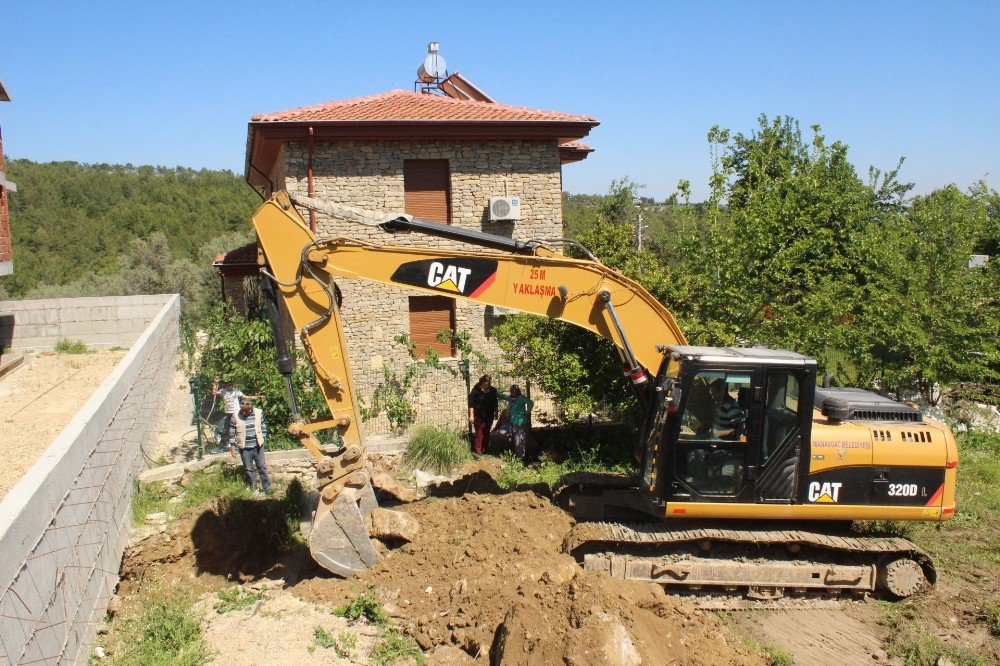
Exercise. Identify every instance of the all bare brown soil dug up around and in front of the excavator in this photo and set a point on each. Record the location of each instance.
(485, 581)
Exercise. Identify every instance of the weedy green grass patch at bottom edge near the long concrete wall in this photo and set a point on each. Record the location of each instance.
(160, 627)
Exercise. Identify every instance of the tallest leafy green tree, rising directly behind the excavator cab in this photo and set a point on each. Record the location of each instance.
(772, 259)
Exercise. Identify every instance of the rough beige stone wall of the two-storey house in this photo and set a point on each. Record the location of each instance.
(369, 175)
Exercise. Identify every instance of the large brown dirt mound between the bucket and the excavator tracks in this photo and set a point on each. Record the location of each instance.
(486, 574)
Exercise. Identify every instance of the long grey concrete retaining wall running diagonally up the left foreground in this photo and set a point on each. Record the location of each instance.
(64, 526)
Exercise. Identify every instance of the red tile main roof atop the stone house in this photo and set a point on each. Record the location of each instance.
(404, 105)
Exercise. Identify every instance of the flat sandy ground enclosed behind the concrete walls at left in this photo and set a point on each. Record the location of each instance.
(37, 401)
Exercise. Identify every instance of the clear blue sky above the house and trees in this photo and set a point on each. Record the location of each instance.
(175, 83)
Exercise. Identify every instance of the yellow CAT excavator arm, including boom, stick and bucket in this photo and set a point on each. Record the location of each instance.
(529, 277)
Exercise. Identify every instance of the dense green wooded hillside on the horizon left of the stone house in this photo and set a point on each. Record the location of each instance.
(72, 220)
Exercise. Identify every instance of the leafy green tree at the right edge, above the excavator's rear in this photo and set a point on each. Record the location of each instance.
(923, 317)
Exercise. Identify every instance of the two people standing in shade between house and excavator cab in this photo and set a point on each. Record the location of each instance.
(484, 402)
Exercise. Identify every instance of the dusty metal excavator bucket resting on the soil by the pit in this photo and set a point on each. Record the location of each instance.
(339, 538)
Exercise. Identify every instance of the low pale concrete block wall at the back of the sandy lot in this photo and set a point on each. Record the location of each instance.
(99, 322)
